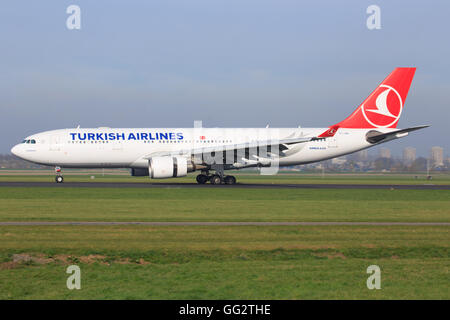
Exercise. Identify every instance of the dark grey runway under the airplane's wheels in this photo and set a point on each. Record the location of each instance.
(194, 185)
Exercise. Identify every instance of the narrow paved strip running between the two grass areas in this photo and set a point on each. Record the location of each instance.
(212, 223)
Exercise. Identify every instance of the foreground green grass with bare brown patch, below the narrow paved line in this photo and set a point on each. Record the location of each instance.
(138, 262)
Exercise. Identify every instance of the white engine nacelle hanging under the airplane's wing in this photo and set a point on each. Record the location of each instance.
(169, 167)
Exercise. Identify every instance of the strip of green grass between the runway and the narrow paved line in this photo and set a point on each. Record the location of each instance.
(172, 204)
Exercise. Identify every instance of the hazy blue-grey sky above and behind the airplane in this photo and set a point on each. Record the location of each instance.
(228, 63)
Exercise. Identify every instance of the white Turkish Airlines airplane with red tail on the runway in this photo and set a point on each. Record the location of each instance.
(166, 153)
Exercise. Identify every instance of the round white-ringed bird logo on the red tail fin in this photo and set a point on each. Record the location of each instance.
(383, 108)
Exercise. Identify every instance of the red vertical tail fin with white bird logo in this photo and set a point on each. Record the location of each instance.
(382, 109)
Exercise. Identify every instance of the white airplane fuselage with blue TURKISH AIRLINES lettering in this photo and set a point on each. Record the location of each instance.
(130, 148)
